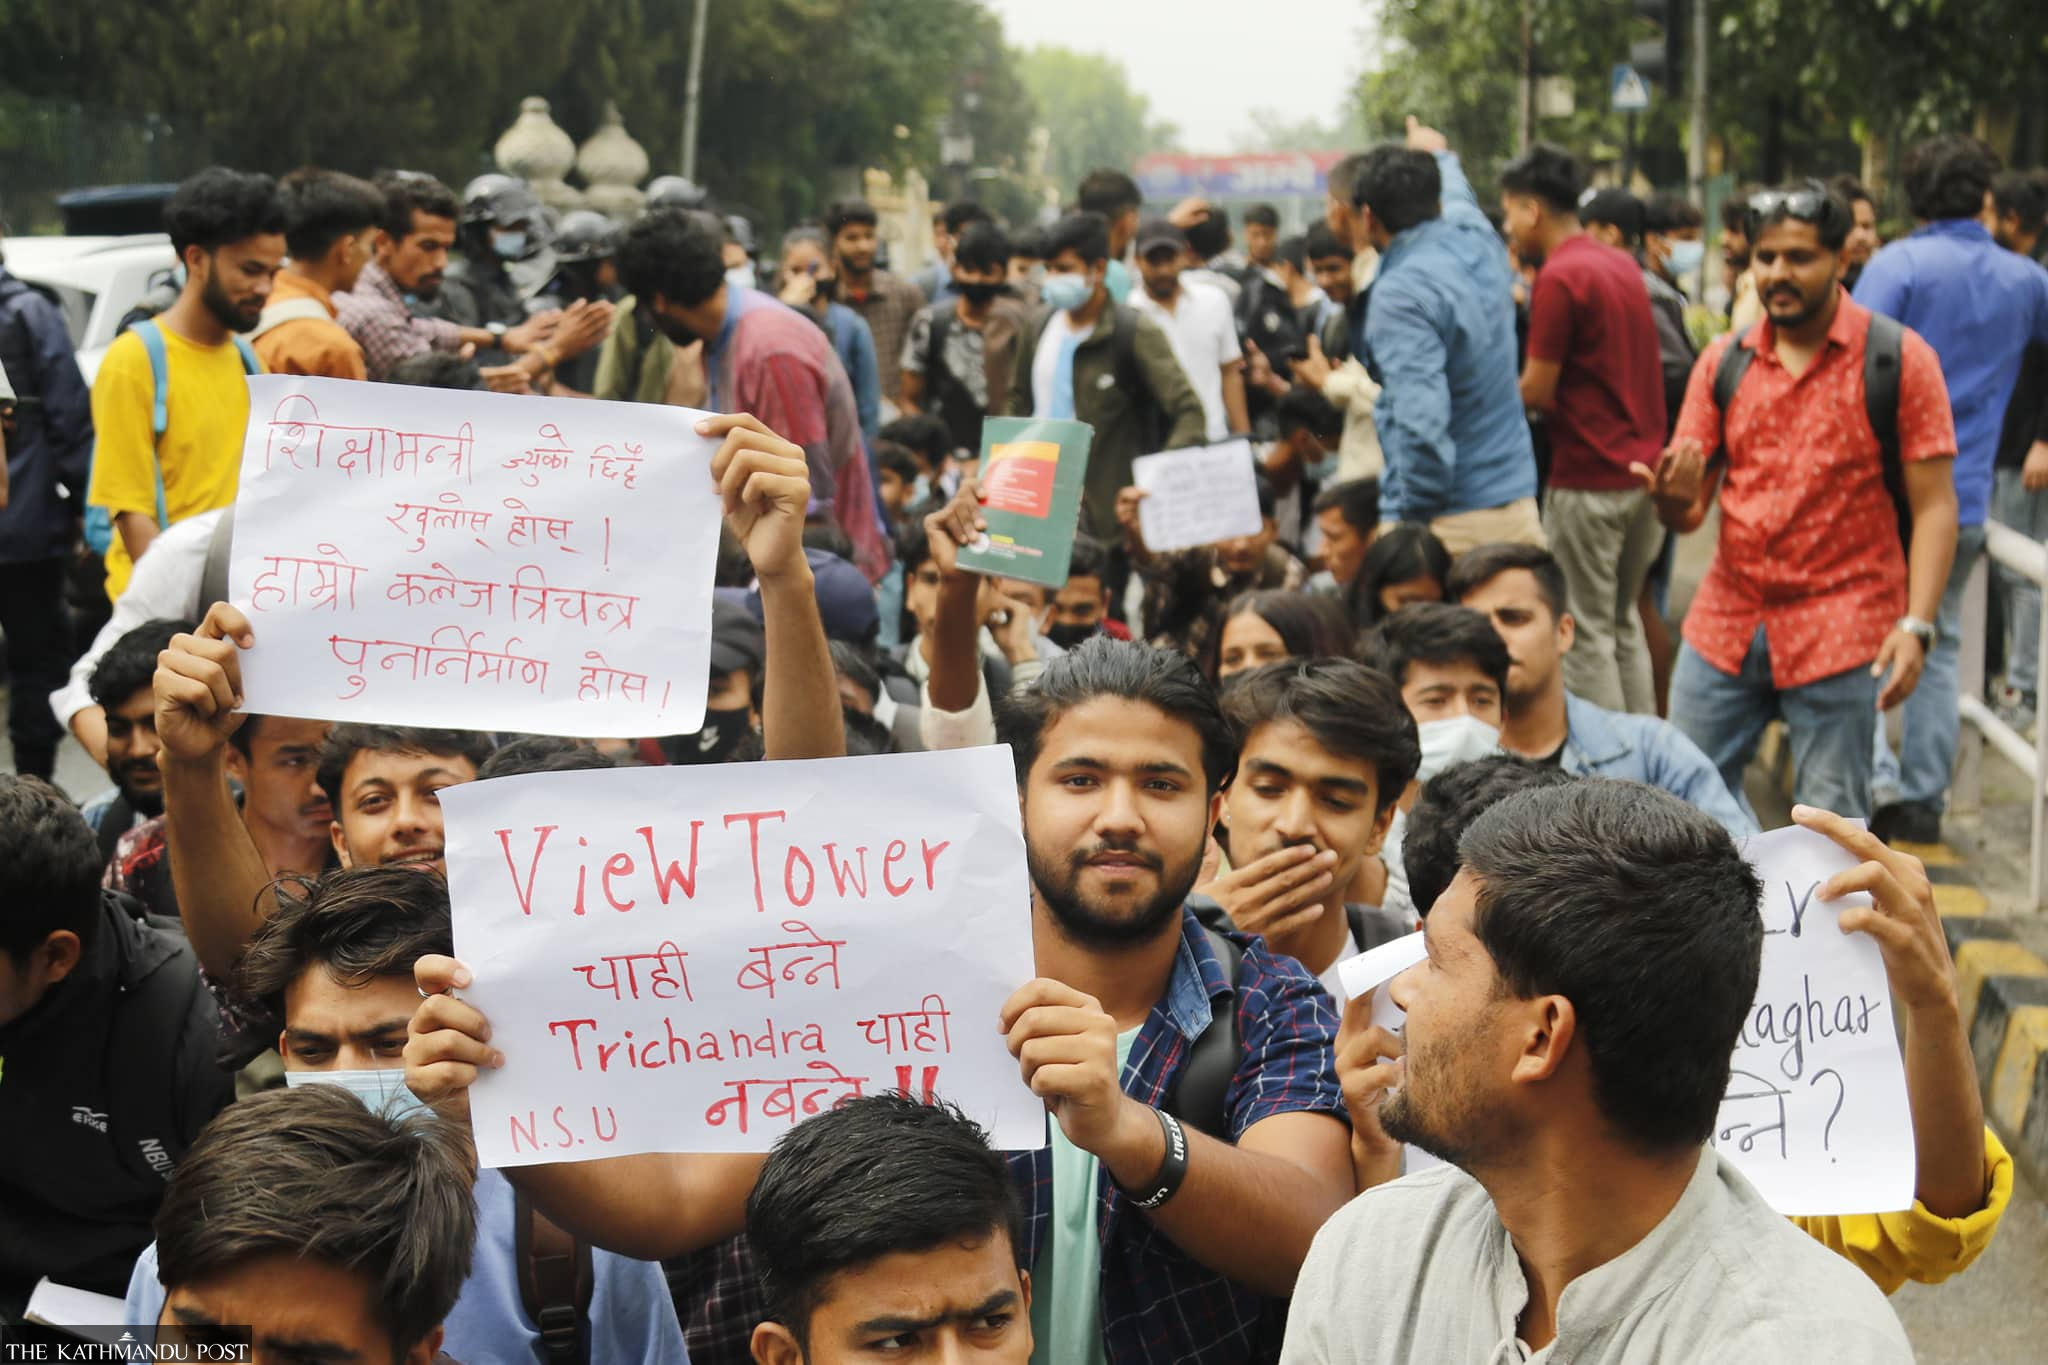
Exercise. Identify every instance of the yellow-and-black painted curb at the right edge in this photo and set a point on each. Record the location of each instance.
(2004, 994)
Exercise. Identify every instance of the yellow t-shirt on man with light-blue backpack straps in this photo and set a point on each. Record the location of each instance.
(208, 410)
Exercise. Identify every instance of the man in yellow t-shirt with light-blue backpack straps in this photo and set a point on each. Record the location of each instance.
(163, 457)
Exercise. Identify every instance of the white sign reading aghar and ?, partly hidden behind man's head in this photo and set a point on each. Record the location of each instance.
(1818, 1102)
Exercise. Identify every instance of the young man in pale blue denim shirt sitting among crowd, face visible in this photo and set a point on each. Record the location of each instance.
(1523, 590)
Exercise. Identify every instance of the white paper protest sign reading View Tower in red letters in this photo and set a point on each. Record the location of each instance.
(697, 959)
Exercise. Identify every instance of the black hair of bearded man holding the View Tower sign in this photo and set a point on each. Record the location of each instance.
(1127, 670)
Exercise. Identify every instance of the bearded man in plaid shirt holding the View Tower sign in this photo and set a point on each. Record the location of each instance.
(1121, 754)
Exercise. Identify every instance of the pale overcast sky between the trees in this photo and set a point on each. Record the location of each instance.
(1205, 64)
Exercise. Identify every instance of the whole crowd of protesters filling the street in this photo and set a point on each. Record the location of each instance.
(1435, 689)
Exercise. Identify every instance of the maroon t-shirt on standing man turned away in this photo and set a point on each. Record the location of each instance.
(1590, 314)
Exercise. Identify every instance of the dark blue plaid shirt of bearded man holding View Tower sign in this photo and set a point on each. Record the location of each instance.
(1158, 1303)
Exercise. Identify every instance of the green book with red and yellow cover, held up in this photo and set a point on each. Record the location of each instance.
(1031, 486)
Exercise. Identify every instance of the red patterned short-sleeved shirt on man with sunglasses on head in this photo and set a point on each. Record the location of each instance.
(1809, 545)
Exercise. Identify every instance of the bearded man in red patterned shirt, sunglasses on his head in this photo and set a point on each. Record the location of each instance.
(1811, 609)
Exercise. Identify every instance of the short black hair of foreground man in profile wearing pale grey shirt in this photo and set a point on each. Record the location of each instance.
(1644, 914)
